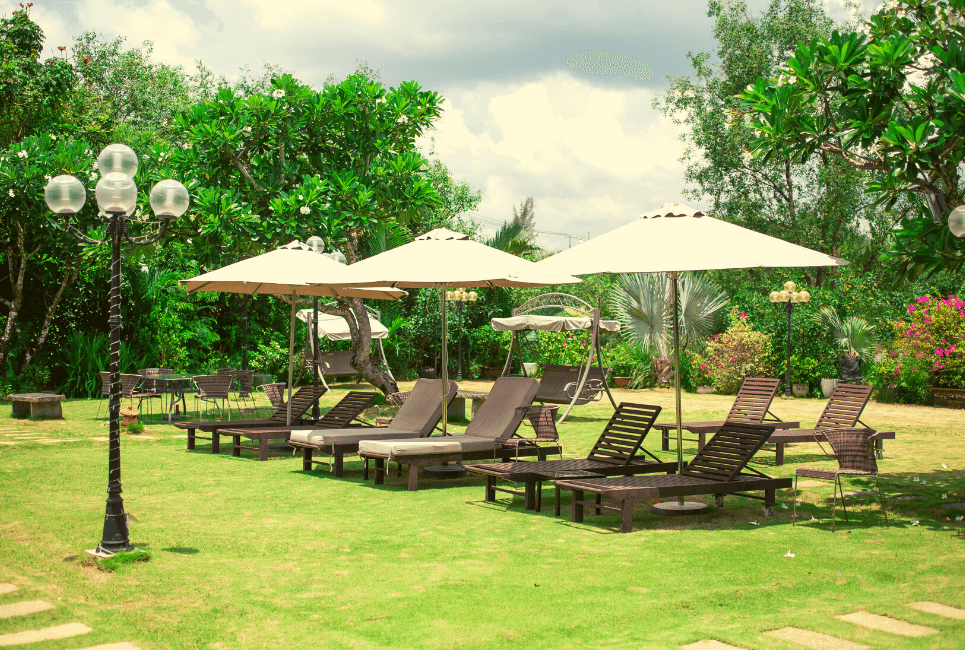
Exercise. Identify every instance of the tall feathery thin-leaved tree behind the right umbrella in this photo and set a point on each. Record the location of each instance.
(817, 203)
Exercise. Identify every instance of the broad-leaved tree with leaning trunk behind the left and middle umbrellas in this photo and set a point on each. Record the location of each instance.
(267, 168)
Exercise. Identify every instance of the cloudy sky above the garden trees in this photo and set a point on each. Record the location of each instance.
(584, 143)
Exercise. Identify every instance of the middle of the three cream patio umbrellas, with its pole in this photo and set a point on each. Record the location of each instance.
(442, 259)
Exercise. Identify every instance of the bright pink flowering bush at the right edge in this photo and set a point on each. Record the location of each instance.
(934, 333)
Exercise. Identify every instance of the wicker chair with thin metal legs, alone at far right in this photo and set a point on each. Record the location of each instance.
(855, 452)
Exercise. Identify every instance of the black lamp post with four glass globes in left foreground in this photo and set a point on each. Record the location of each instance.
(116, 196)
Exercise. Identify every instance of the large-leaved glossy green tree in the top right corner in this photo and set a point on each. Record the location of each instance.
(887, 99)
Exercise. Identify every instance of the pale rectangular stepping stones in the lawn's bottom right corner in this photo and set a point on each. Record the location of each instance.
(877, 622)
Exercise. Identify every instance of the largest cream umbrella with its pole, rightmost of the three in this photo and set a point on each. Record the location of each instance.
(675, 238)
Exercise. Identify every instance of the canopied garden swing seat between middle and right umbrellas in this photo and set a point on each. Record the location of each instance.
(562, 384)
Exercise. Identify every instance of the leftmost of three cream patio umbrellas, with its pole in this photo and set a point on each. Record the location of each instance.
(292, 270)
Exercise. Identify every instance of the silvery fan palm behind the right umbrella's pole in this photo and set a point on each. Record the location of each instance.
(642, 304)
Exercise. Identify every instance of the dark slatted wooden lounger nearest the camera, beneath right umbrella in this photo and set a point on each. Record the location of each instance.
(718, 469)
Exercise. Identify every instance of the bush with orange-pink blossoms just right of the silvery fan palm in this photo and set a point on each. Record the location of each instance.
(737, 353)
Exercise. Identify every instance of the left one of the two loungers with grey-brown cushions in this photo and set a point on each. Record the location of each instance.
(417, 417)
